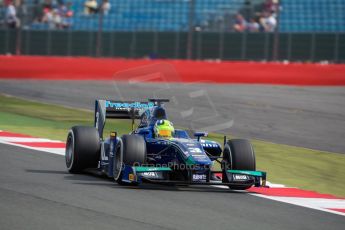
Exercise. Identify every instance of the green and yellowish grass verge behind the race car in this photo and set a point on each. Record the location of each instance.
(293, 166)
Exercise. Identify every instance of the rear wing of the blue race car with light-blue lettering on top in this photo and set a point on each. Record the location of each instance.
(118, 110)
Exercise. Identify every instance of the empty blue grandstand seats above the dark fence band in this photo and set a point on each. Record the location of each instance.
(209, 15)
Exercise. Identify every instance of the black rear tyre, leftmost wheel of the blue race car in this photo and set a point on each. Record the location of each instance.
(82, 148)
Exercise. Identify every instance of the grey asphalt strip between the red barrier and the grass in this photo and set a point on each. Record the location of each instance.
(312, 117)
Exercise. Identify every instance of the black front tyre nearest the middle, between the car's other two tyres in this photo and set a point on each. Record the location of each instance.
(130, 150)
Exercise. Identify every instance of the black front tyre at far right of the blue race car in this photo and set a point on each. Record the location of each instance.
(238, 154)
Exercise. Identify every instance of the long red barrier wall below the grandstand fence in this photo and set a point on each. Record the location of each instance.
(85, 68)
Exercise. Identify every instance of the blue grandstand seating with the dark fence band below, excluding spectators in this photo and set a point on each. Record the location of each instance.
(307, 30)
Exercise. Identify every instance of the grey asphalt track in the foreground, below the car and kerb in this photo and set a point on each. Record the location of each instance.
(36, 192)
